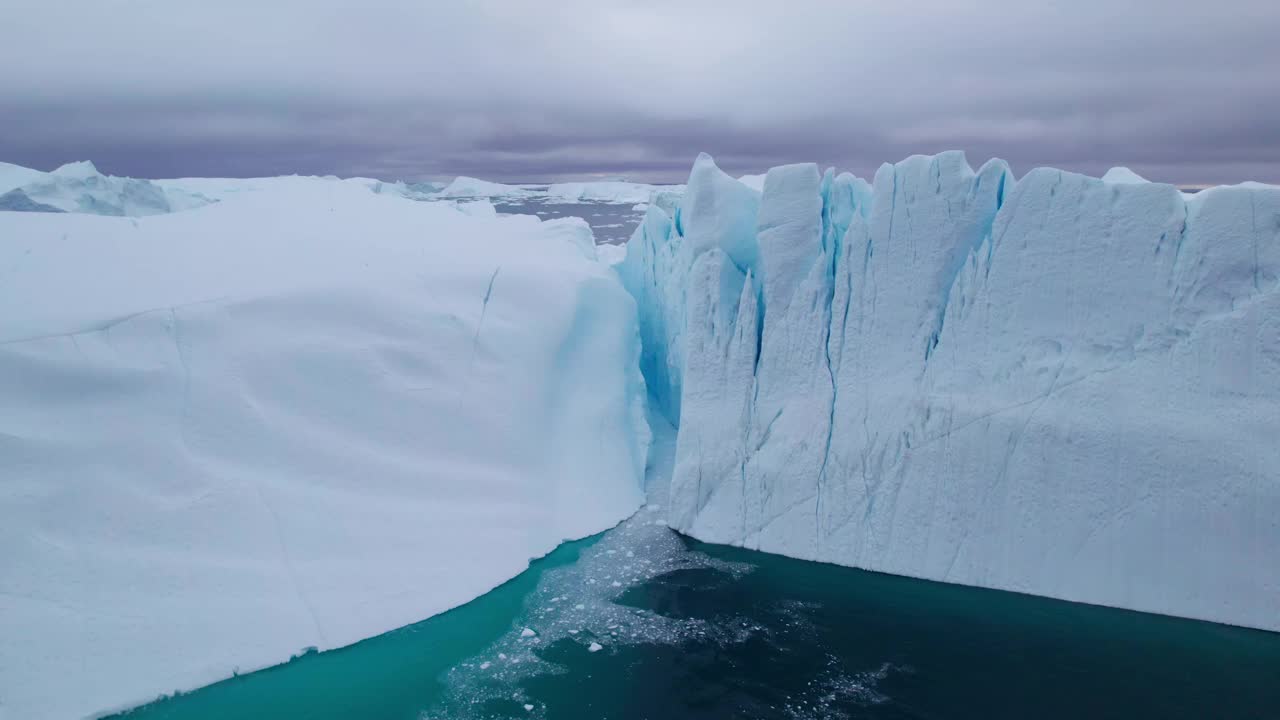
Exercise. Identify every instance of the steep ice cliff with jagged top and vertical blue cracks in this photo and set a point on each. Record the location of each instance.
(1057, 385)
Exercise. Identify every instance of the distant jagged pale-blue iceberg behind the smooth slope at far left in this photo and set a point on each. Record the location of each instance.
(79, 188)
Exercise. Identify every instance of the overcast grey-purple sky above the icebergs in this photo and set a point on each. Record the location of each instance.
(1178, 90)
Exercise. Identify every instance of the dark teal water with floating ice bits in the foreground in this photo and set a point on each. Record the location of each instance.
(687, 631)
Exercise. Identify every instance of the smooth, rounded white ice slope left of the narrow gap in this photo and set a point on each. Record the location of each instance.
(296, 418)
